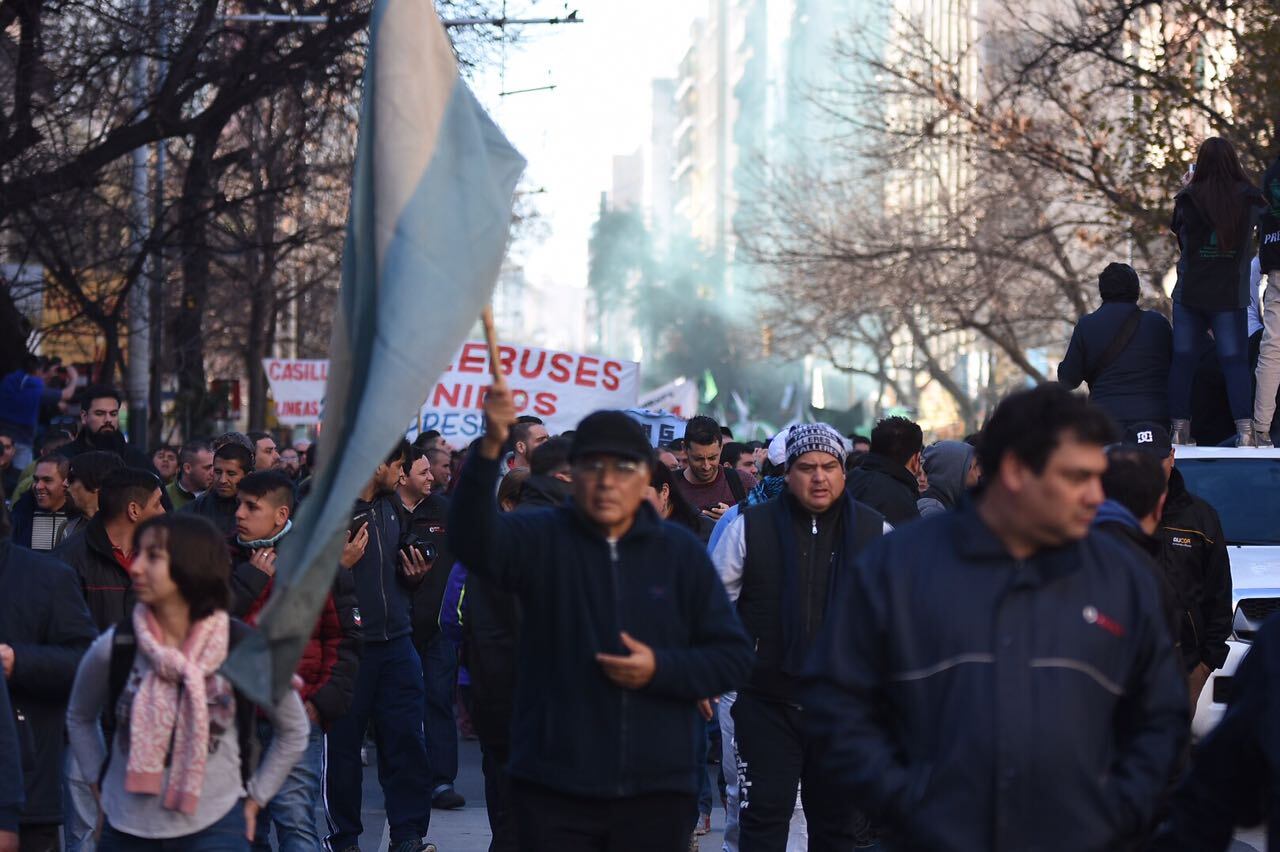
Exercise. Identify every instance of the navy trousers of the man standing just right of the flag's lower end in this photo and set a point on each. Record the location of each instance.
(390, 693)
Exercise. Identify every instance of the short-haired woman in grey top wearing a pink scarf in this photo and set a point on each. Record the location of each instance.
(173, 775)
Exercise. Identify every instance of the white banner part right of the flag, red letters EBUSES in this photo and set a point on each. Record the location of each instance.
(561, 388)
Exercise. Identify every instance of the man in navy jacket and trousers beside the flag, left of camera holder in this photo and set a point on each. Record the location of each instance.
(390, 682)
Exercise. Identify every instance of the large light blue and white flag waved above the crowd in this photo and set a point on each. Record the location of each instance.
(431, 213)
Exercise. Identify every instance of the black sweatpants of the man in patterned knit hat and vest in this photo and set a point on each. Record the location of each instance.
(772, 762)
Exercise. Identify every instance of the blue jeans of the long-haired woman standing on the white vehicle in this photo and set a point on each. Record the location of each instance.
(1232, 341)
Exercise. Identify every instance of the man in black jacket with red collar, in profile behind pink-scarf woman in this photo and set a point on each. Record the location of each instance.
(103, 551)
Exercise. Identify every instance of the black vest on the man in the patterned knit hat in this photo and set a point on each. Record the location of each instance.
(765, 575)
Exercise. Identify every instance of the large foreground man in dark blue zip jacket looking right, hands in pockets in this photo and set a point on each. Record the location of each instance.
(1000, 679)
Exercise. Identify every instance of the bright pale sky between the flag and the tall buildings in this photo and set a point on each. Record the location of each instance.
(602, 71)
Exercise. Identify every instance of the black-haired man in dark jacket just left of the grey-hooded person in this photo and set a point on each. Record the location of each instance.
(886, 479)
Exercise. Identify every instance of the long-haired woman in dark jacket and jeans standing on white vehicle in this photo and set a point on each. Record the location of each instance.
(1215, 217)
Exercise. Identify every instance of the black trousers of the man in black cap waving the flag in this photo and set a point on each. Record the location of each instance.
(552, 822)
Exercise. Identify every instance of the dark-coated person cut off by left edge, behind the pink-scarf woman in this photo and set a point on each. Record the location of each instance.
(45, 629)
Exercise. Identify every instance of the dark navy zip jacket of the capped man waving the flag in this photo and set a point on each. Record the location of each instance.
(573, 730)
